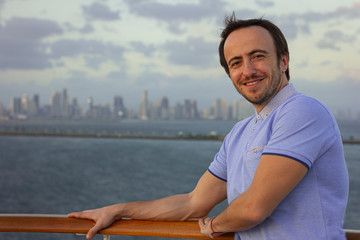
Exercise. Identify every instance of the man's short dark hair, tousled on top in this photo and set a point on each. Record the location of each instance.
(232, 24)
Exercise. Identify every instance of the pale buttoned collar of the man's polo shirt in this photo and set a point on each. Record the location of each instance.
(281, 97)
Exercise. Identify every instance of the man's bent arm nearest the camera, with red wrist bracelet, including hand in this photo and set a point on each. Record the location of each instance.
(275, 177)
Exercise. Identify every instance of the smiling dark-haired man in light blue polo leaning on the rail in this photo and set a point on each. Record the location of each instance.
(282, 170)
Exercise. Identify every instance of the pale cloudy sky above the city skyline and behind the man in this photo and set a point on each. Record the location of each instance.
(107, 48)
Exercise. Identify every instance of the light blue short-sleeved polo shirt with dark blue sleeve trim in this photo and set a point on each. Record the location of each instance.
(302, 129)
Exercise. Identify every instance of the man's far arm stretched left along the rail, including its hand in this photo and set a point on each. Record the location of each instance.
(197, 204)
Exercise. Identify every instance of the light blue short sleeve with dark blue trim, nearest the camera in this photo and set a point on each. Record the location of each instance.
(303, 129)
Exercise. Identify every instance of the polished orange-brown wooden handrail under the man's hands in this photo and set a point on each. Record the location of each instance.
(46, 223)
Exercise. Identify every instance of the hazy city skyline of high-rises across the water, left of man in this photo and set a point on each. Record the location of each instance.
(62, 105)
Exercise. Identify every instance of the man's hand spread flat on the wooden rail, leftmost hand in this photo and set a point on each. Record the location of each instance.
(103, 218)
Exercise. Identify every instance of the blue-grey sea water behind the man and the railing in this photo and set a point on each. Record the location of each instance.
(58, 175)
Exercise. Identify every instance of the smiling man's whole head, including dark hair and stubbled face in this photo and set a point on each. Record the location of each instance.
(254, 53)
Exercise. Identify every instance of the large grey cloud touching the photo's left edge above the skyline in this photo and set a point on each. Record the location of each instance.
(21, 43)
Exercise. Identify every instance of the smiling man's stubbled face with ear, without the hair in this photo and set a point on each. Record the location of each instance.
(253, 65)
